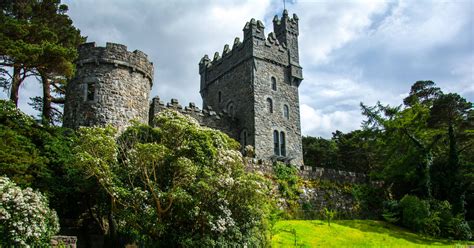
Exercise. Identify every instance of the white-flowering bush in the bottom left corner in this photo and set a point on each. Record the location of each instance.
(25, 218)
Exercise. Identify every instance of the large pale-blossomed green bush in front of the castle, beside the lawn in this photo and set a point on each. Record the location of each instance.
(177, 184)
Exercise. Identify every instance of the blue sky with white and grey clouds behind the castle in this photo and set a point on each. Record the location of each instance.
(351, 51)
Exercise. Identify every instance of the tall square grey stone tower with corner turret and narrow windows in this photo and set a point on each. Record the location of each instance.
(256, 82)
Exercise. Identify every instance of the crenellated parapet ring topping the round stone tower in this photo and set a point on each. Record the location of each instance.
(117, 55)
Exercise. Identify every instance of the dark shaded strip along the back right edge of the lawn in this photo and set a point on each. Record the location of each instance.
(391, 230)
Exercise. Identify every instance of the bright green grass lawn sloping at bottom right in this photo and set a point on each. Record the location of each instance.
(350, 233)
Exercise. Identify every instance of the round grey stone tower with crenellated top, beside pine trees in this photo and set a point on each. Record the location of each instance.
(111, 86)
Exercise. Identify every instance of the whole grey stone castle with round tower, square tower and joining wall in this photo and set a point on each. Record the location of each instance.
(250, 92)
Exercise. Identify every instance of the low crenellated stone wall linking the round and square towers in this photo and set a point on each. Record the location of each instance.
(206, 117)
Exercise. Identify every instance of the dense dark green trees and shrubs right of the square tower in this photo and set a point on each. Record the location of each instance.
(421, 150)
